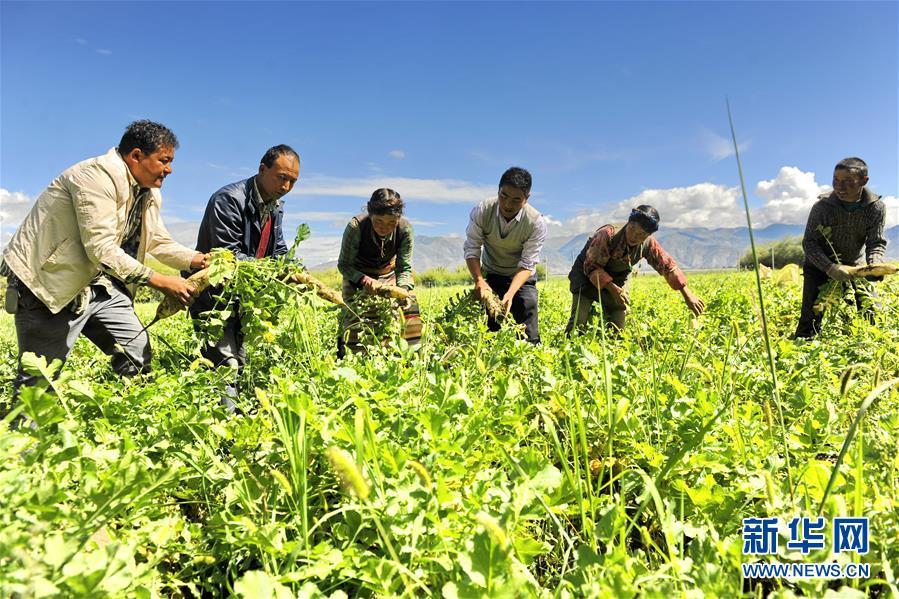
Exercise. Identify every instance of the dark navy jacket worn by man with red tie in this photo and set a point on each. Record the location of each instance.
(231, 221)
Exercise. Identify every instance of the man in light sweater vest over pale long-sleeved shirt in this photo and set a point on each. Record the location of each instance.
(502, 248)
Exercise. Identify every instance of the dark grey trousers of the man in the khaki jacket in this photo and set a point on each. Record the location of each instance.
(108, 321)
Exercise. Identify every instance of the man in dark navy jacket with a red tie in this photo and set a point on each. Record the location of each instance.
(245, 217)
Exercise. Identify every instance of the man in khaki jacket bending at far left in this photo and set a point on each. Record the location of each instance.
(75, 260)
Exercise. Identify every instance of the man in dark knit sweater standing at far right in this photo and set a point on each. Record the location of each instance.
(839, 225)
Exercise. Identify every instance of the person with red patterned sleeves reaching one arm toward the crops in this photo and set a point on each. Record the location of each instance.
(602, 270)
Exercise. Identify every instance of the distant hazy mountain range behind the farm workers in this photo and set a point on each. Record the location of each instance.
(692, 248)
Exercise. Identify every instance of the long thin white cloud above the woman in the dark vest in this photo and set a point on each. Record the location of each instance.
(435, 191)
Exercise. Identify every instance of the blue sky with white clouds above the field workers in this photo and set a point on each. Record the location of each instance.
(608, 104)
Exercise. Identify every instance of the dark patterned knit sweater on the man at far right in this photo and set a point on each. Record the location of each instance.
(843, 232)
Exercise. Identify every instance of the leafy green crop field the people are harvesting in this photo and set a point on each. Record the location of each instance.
(476, 466)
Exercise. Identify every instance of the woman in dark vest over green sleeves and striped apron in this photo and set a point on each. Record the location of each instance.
(376, 250)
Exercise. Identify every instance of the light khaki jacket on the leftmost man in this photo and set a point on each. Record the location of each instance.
(75, 230)
